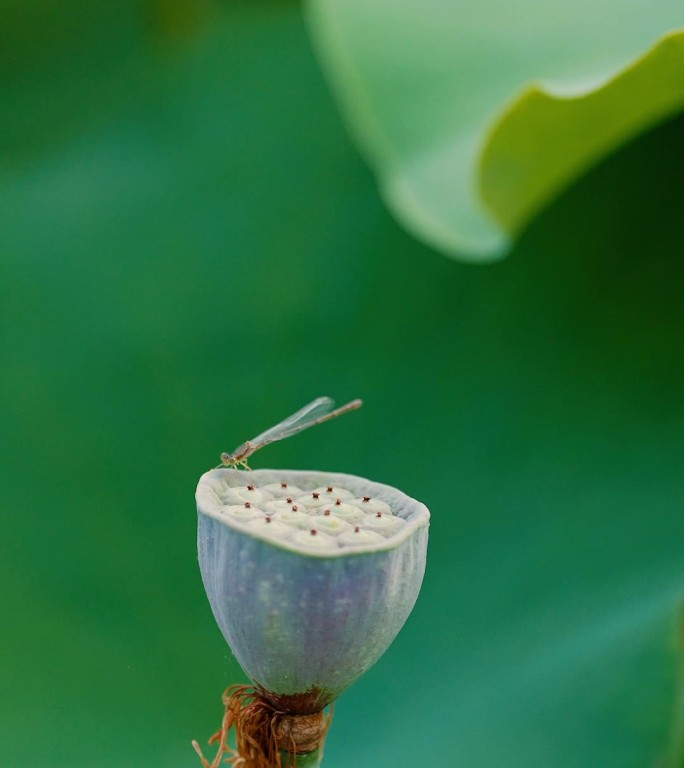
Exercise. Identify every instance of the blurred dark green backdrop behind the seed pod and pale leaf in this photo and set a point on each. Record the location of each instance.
(191, 249)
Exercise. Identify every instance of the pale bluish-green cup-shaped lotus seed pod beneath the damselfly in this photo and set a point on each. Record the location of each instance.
(308, 599)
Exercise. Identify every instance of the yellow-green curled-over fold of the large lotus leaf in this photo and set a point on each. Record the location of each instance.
(544, 140)
